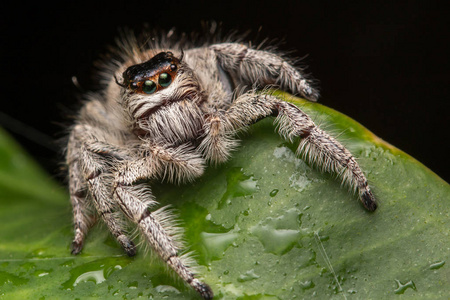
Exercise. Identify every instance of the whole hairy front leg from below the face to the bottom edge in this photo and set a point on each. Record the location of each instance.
(135, 200)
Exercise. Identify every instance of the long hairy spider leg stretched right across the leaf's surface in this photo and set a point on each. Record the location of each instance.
(316, 146)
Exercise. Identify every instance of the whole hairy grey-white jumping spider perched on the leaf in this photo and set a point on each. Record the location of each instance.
(164, 114)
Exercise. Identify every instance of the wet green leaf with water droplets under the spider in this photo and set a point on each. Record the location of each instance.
(264, 226)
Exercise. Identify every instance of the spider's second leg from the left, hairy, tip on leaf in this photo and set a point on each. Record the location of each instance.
(97, 177)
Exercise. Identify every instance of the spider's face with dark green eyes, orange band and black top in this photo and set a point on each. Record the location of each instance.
(157, 83)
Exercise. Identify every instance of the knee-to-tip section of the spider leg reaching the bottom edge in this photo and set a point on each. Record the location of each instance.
(135, 200)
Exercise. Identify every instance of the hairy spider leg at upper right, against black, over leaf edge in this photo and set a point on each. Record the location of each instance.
(263, 68)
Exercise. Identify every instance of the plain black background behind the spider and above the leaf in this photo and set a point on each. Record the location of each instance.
(384, 64)
